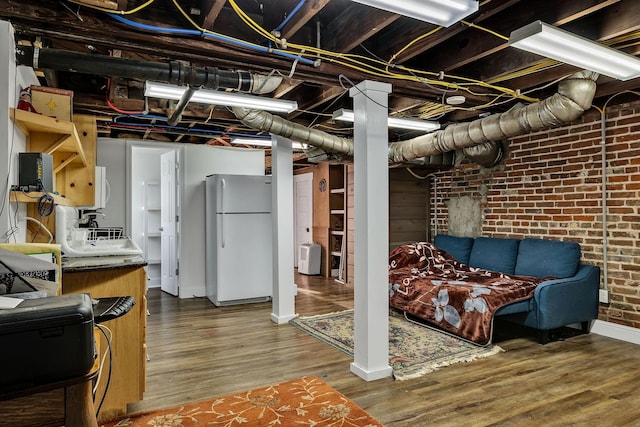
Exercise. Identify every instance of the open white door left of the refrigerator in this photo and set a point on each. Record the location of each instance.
(168, 223)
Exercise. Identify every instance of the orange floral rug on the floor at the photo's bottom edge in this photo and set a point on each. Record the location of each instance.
(307, 401)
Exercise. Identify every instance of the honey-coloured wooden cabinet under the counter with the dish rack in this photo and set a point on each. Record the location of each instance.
(128, 344)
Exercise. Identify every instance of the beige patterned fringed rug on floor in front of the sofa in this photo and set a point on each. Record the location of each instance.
(414, 350)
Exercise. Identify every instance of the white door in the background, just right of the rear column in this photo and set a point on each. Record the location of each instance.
(303, 199)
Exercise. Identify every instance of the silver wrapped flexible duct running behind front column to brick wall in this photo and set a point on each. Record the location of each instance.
(574, 97)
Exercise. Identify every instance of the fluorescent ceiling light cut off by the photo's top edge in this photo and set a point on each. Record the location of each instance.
(439, 12)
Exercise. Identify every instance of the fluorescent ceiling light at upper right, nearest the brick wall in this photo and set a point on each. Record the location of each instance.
(563, 46)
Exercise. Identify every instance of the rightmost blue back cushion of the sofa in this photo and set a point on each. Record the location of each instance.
(548, 258)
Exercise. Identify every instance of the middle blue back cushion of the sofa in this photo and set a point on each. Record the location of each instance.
(493, 253)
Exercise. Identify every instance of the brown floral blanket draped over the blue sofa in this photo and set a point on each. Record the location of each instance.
(427, 282)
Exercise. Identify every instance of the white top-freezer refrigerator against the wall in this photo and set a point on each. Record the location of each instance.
(238, 246)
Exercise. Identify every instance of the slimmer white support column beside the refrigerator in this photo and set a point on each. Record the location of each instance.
(284, 287)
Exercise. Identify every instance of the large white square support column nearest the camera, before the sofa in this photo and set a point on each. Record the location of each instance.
(371, 196)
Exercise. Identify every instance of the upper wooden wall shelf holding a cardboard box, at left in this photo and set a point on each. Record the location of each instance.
(52, 136)
